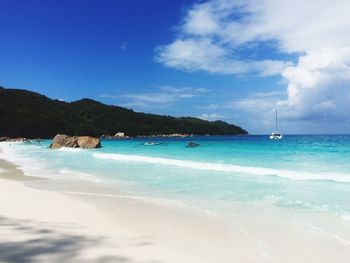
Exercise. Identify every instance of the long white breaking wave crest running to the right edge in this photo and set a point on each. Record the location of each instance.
(220, 167)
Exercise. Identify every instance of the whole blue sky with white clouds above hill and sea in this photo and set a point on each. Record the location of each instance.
(217, 59)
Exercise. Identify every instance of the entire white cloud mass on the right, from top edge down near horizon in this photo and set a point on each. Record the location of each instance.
(215, 37)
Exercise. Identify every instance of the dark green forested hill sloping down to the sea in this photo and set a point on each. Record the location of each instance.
(28, 114)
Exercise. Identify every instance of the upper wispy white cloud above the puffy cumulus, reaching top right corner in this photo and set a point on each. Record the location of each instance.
(212, 33)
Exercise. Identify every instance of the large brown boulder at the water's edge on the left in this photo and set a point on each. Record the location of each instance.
(62, 140)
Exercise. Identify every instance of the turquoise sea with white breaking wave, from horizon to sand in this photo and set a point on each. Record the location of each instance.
(310, 172)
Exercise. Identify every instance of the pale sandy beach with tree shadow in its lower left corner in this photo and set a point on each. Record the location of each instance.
(95, 224)
